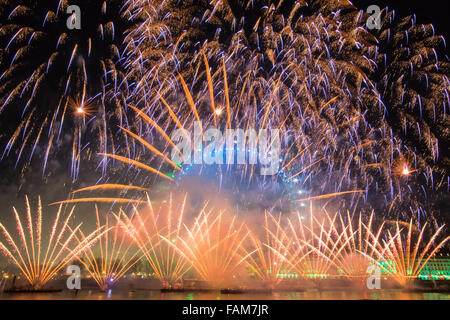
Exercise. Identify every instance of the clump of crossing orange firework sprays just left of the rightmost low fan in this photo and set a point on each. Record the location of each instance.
(318, 247)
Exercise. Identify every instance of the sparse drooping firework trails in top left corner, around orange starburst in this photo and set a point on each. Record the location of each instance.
(54, 80)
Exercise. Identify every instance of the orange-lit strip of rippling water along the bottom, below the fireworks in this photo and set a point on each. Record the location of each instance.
(157, 295)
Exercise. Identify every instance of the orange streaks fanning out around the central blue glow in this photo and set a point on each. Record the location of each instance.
(242, 177)
